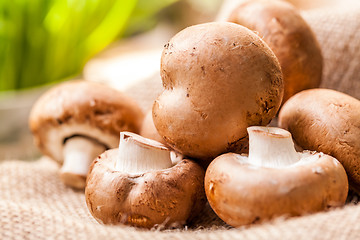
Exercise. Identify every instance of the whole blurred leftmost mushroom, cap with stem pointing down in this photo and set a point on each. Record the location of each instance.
(76, 121)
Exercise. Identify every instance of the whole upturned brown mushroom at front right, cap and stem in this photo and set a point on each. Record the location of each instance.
(273, 180)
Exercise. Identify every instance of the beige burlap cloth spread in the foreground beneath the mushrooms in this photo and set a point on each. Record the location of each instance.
(34, 204)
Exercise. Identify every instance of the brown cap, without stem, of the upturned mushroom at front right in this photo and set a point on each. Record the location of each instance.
(241, 194)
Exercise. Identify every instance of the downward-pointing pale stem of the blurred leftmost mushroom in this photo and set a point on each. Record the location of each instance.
(79, 152)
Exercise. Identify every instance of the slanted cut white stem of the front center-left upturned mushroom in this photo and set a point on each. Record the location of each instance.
(138, 154)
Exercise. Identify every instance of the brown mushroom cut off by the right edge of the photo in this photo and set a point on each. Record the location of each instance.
(328, 121)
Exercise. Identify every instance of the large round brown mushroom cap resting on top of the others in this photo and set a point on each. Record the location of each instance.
(219, 78)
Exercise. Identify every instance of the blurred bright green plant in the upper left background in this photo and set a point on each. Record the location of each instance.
(43, 41)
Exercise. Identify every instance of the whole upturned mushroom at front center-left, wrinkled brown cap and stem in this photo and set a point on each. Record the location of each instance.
(138, 185)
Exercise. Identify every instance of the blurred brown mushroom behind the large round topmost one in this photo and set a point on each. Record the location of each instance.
(281, 26)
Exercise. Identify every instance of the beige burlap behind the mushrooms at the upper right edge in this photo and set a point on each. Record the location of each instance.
(338, 32)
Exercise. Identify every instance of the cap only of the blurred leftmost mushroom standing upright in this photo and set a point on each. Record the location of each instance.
(81, 108)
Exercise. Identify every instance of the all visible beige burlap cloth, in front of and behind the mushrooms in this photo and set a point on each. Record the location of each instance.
(35, 205)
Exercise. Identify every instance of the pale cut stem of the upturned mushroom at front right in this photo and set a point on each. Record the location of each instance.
(271, 147)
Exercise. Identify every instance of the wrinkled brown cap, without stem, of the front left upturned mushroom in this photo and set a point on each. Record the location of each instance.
(166, 197)
